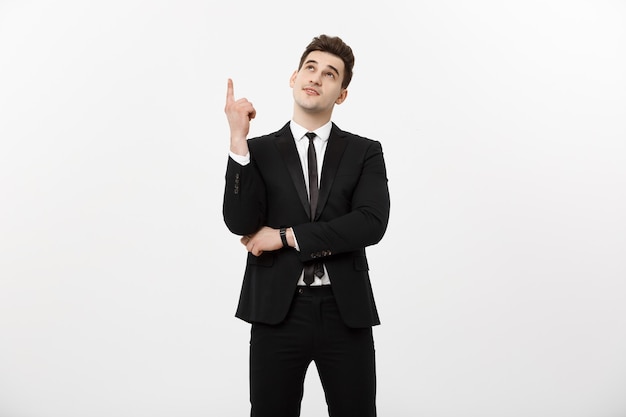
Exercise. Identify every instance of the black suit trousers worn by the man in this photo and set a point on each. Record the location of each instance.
(313, 331)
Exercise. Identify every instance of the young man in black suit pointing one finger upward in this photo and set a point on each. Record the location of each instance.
(305, 216)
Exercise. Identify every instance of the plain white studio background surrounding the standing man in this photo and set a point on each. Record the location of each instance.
(501, 281)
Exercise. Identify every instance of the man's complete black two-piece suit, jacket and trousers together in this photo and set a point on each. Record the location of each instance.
(333, 329)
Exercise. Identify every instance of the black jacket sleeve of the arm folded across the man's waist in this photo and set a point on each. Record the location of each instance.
(364, 224)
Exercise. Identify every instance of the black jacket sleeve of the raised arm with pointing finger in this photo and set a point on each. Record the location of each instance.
(244, 205)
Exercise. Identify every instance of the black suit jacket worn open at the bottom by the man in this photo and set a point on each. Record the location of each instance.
(352, 213)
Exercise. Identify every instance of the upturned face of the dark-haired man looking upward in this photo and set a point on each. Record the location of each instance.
(317, 84)
